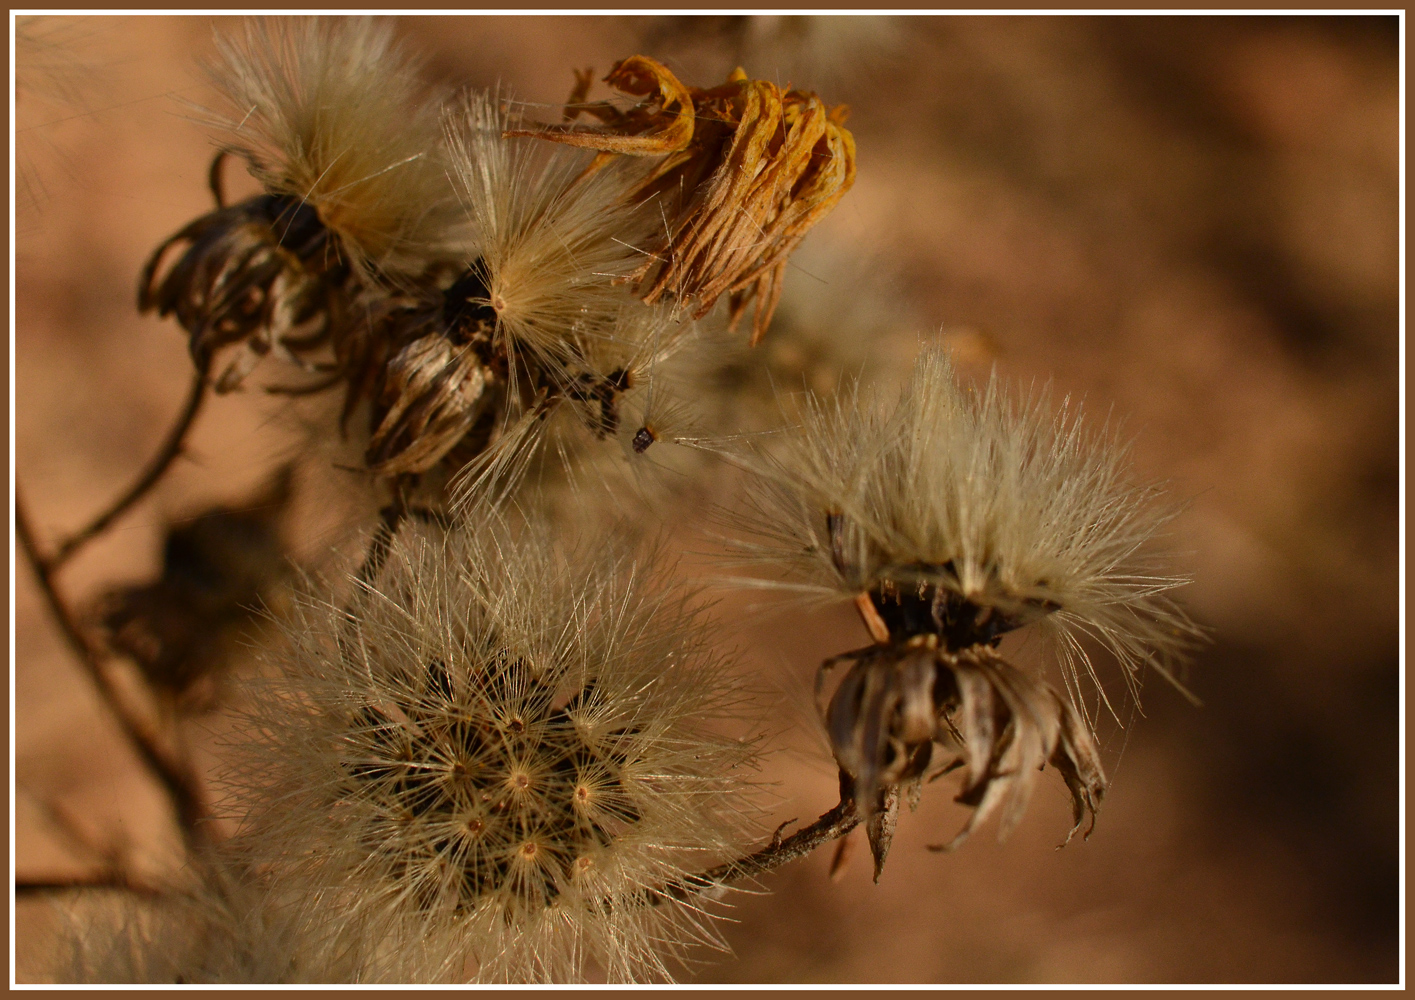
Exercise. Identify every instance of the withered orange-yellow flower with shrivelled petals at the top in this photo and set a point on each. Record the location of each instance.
(745, 173)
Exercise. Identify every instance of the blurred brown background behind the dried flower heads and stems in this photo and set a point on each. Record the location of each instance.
(1192, 223)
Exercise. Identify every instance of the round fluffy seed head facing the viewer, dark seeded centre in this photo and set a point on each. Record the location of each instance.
(495, 763)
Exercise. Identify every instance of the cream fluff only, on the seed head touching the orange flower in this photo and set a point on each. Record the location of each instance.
(555, 244)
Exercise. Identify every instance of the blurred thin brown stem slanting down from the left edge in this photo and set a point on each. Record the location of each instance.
(175, 776)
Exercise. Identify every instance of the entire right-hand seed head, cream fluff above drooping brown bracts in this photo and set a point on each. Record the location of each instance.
(953, 517)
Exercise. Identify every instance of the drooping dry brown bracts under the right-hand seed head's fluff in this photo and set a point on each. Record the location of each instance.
(901, 701)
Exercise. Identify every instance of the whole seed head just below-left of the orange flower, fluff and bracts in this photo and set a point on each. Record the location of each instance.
(534, 320)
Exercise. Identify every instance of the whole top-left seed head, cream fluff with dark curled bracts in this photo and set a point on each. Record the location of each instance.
(328, 115)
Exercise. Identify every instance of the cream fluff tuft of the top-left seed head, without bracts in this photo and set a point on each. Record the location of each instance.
(332, 111)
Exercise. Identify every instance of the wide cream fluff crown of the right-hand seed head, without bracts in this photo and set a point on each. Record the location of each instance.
(1001, 511)
